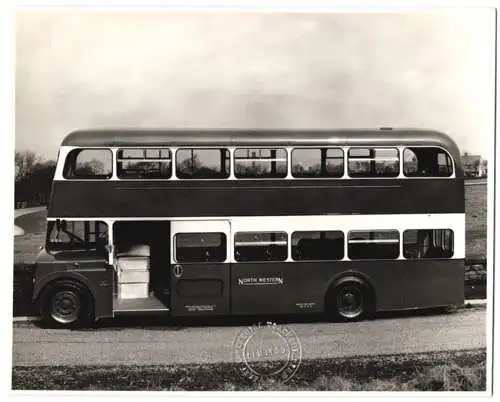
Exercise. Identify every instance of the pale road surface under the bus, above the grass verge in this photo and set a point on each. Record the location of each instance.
(155, 344)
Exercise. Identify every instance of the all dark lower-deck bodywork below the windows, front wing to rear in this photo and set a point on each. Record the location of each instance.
(274, 287)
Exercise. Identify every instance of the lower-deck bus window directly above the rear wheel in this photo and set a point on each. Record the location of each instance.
(373, 245)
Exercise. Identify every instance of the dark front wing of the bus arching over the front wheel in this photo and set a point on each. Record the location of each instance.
(87, 268)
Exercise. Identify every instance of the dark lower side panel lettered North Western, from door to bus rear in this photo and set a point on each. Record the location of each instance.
(301, 287)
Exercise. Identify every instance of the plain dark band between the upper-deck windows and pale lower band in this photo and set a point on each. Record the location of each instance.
(255, 197)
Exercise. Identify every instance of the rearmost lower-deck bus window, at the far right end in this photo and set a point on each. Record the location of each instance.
(428, 243)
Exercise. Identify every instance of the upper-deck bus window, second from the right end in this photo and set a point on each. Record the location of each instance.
(373, 162)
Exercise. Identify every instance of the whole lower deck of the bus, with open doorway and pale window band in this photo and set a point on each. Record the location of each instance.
(251, 265)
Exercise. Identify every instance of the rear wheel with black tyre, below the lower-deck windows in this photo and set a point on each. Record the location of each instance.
(349, 301)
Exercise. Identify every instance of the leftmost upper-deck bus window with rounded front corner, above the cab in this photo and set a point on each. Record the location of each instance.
(89, 163)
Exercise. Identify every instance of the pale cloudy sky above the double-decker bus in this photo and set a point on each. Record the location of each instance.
(80, 70)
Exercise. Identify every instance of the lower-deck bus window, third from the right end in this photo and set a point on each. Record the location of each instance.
(318, 245)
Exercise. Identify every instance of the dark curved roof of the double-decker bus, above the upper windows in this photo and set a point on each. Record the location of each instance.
(259, 137)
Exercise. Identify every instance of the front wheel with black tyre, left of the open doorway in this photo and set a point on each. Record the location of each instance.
(66, 304)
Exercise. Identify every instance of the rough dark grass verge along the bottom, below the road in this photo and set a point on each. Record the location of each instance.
(438, 371)
